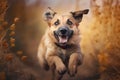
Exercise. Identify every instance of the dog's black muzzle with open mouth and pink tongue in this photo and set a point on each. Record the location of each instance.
(63, 34)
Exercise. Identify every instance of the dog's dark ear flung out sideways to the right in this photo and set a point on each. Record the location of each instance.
(79, 14)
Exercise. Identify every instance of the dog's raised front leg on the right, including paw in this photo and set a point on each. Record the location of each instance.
(74, 61)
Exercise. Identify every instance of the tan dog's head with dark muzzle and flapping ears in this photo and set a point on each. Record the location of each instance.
(63, 27)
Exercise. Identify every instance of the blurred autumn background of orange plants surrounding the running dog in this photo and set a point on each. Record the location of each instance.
(22, 26)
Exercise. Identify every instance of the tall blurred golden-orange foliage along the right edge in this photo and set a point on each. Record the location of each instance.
(106, 21)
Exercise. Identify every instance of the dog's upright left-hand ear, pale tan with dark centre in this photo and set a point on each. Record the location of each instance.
(49, 14)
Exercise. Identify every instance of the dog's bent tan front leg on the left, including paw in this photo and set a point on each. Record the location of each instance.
(54, 60)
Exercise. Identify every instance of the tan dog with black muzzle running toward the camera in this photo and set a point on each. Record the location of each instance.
(59, 49)
